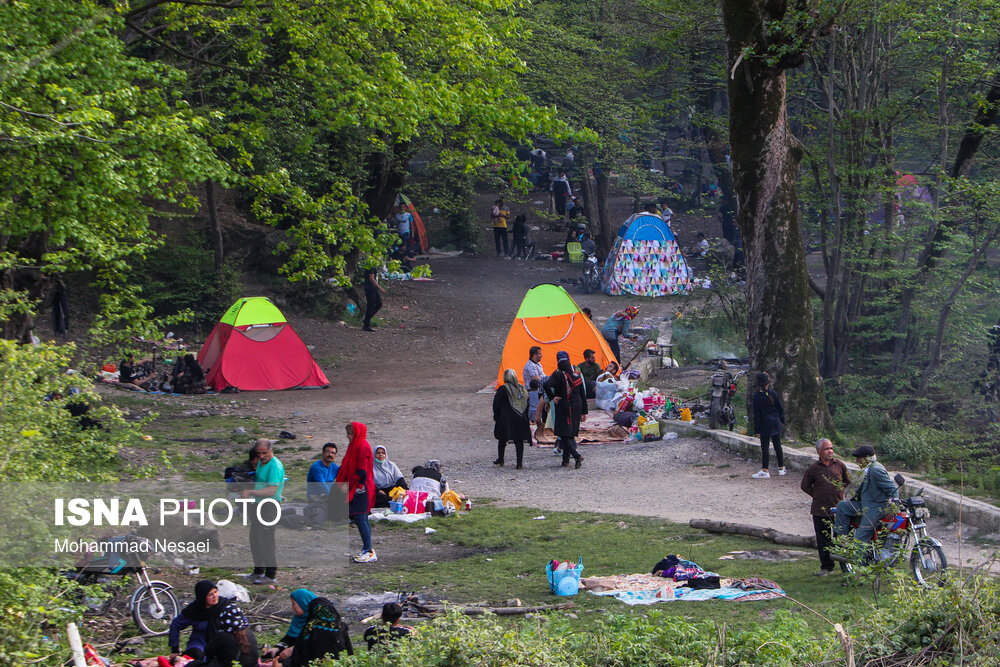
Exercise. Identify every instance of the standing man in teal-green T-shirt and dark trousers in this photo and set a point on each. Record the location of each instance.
(269, 482)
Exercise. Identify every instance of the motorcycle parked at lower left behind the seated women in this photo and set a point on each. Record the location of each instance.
(152, 603)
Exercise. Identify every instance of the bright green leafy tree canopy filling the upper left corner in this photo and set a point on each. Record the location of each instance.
(91, 140)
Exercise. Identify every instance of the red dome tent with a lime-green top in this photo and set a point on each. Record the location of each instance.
(254, 348)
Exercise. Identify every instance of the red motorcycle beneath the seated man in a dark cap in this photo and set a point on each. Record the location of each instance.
(902, 537)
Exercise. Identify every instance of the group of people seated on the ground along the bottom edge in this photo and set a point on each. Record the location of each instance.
(221, 635)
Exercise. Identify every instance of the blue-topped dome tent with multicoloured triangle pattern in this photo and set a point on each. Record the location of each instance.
(646, 260)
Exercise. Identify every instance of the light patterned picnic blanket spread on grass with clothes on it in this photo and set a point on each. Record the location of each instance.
(633, 589)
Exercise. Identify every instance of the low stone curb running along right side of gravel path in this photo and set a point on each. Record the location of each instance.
(940, 501)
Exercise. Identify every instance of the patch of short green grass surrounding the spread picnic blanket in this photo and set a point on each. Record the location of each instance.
(511, 548)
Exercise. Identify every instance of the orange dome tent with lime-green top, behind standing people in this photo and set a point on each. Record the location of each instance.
(549, 318)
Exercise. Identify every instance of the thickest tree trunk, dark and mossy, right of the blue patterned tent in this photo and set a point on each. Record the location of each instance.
(765, 162)
